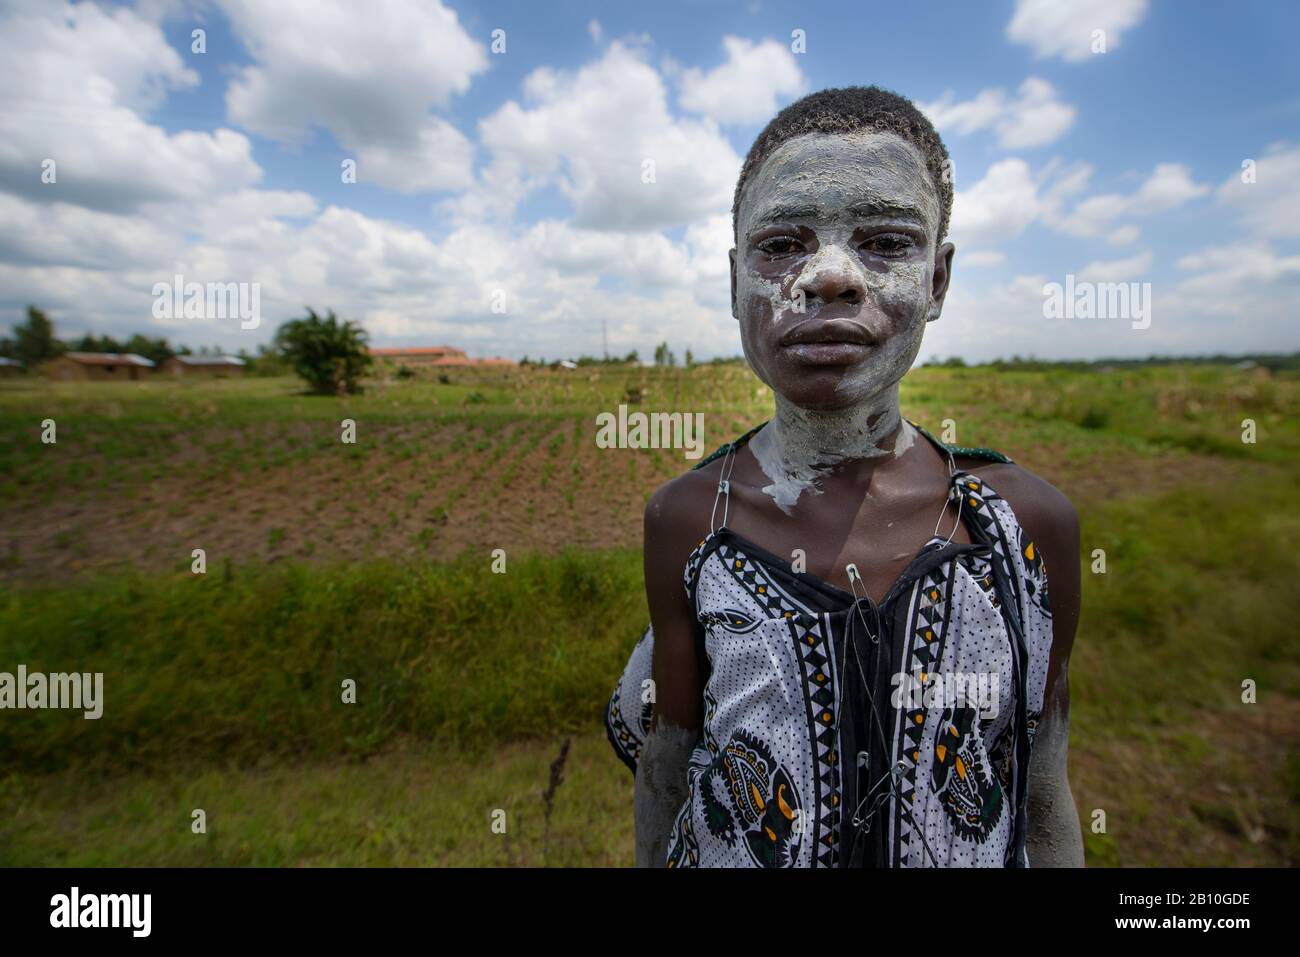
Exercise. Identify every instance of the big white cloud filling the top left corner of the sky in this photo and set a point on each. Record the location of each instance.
(76, 79)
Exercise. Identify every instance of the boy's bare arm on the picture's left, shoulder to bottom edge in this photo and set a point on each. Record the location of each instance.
(678, 674)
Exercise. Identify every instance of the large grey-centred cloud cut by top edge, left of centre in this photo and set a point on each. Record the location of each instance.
(369, 73)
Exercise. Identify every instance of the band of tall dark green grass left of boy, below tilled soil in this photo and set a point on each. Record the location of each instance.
(252, 665)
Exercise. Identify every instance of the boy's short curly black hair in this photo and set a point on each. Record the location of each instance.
(847, 111)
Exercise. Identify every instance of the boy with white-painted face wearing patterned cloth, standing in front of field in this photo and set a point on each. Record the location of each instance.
(873, 699)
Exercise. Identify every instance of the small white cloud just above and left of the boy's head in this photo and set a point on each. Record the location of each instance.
(747, 88)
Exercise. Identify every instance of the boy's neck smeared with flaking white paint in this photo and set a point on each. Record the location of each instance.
(801, 447)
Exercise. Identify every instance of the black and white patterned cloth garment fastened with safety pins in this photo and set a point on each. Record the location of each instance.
(843, 734)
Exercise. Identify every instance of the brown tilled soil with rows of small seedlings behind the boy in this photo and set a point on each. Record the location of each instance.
(421, 492)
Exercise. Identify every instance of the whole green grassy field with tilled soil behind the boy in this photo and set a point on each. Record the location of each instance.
(372, 562)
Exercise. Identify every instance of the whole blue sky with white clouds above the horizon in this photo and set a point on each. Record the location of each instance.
(510, 180)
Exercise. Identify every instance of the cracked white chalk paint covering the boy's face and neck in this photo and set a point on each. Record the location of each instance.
(833, 177)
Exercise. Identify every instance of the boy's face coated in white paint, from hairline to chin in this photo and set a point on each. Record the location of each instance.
(838, 269)
